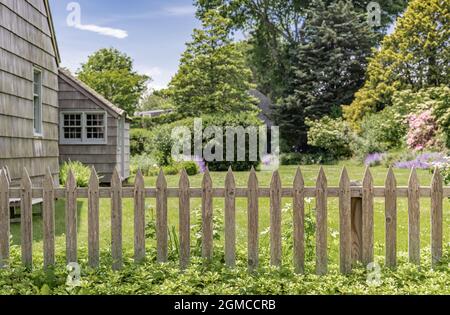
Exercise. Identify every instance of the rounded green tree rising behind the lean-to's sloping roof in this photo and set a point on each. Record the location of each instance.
(110, 73)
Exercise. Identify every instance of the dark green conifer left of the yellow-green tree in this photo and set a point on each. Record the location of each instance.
(332, 61)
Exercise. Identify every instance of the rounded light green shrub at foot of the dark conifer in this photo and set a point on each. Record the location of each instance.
(331, 135)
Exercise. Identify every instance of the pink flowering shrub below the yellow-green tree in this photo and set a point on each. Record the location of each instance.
(423, 130)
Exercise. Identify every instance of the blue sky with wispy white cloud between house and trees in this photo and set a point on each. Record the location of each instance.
(152, 32)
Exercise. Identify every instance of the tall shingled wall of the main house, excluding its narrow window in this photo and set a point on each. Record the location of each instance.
(27, 42)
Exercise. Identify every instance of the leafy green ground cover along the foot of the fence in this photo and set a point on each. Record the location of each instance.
(214, 277)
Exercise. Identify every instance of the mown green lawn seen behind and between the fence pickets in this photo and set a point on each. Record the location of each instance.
(356, 172)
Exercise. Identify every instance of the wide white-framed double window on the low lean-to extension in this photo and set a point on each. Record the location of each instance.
(83, 127)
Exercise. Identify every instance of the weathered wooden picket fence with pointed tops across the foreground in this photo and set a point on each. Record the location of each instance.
(356, 216)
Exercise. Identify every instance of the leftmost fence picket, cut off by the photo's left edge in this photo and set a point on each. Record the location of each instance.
(4, 219)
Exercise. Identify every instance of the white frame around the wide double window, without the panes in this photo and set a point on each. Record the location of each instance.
(84, 140)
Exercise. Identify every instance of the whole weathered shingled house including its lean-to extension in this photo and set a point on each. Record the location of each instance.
(47, 116)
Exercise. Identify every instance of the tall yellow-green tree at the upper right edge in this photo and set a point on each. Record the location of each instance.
(415, 56)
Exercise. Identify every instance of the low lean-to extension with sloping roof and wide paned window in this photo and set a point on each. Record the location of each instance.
(91, 129)
